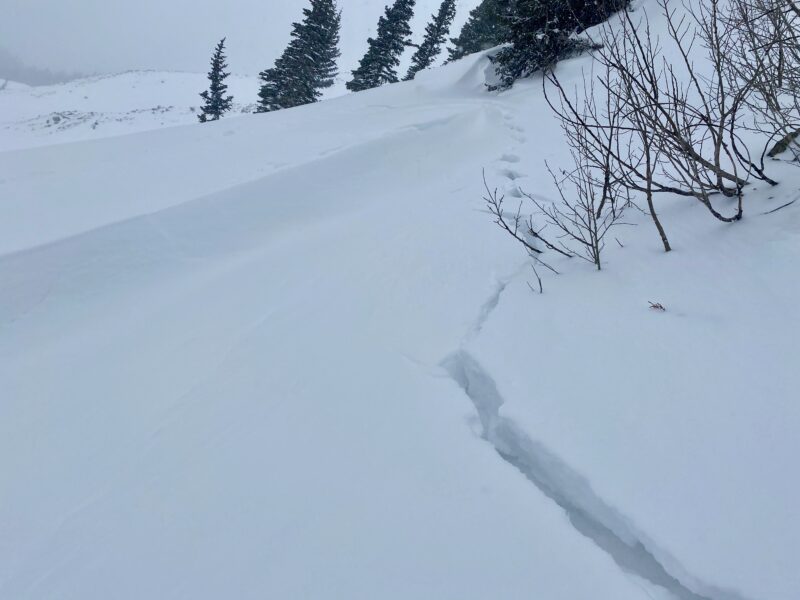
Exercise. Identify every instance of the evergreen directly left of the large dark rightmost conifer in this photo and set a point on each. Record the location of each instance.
(488, 26)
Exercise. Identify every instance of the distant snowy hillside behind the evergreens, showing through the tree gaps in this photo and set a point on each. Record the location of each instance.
(134, 101)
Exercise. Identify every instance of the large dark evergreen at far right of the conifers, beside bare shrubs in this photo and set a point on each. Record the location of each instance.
(542, 33)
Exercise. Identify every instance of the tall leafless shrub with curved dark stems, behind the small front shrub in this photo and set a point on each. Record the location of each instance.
(679, 123)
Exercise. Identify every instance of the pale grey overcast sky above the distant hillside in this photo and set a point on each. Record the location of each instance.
(115, 35)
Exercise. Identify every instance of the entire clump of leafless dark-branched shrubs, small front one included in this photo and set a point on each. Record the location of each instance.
(652, 119)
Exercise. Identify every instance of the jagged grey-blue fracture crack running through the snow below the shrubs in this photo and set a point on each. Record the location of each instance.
(587, 513)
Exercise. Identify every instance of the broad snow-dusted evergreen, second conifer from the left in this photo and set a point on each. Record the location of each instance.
(308, 64)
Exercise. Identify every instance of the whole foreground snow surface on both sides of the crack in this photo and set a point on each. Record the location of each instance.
(289, 356)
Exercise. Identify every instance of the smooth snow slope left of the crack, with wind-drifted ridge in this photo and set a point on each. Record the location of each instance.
(238, 396)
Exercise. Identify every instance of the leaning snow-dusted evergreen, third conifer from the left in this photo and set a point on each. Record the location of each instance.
(379, 64)
